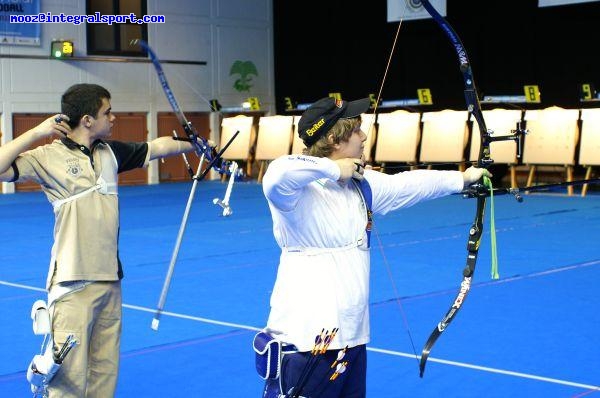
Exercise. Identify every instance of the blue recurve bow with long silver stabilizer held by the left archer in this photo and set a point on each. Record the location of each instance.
(203, 150)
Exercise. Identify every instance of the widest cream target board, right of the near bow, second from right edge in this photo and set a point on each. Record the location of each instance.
(552, 138)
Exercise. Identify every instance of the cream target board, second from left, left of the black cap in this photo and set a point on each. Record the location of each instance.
(274, 137)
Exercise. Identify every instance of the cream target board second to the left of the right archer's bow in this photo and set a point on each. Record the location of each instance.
(398, 135)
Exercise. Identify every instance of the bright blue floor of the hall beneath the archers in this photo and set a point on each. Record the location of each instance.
(532, 333)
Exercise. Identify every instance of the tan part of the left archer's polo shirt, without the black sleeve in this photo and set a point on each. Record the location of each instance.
(85, 202)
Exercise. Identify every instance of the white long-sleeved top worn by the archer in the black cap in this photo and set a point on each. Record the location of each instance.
(319, 223)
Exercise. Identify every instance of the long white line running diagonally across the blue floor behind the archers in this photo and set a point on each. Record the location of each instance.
(374, 349)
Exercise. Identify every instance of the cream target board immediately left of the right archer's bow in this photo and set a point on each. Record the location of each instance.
(444, 136)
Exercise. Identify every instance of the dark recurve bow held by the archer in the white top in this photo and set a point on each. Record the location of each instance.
(484, 160)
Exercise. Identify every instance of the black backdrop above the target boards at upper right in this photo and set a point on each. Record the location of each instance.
(342, 46)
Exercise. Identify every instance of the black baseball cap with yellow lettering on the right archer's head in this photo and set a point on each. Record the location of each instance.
(322, 115)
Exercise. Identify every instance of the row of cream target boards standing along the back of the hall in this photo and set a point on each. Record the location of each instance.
(557, 137)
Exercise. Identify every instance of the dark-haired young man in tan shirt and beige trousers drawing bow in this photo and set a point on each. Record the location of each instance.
(78, 172)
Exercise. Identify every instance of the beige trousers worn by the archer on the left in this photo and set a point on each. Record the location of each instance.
(93, 315)
